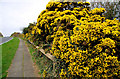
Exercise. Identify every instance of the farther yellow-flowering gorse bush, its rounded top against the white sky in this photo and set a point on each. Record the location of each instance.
(47, 21)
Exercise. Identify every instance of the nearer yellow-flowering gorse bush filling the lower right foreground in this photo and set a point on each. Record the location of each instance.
(89, 51)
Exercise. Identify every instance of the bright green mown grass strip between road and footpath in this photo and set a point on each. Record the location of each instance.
(8, 51)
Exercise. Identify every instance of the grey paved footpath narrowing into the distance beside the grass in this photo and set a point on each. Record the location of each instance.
(22, 65)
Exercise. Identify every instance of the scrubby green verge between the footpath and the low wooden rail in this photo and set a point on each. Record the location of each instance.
(41, 61)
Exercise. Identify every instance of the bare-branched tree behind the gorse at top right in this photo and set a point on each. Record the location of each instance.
(112, 8)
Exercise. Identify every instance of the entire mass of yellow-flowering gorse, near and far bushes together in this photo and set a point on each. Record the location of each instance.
(82, 38)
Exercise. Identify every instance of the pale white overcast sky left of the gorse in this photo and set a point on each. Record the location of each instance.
(16, 14)
